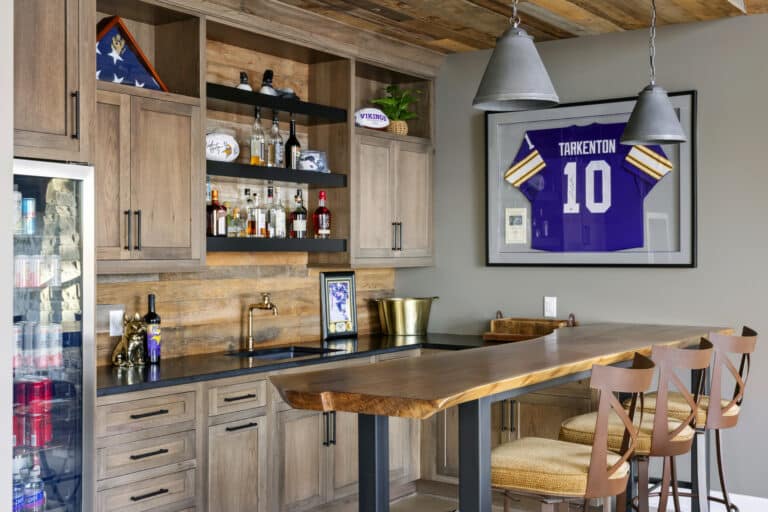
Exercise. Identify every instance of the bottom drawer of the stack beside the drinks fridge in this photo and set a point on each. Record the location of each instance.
(164, 491)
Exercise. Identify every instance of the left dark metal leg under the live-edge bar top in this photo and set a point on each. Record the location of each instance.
(373, 460)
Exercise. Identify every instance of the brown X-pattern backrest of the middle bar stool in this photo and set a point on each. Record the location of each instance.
(670, 360)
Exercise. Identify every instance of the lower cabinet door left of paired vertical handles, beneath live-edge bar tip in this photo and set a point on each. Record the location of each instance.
(301, 459)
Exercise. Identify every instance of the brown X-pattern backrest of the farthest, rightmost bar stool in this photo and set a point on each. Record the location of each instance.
(721, 415)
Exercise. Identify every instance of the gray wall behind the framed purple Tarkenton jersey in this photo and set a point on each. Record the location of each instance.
(726, 62)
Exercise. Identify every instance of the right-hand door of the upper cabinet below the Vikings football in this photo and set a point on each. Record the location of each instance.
(413, 199)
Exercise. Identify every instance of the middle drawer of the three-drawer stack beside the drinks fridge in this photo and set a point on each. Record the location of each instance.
(126, 458)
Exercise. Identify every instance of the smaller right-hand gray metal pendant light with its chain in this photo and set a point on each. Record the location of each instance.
(653, 120)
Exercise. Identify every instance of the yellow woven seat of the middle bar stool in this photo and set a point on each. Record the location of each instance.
(581, 429)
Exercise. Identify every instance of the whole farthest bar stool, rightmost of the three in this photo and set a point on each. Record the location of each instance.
(716, 418)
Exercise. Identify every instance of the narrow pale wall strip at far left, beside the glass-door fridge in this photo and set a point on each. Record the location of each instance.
(6, 244)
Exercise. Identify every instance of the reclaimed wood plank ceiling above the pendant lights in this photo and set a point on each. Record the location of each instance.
(449, 26)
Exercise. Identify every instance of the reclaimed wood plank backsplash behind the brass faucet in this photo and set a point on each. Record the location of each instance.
(204, 312)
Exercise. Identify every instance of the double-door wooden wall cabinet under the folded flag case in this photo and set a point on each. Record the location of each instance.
(149, 184)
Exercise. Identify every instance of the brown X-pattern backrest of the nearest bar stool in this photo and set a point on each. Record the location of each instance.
(610, 380)
